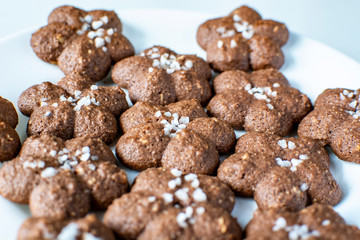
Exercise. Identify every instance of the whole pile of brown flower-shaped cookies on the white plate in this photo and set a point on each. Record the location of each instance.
(179, 134)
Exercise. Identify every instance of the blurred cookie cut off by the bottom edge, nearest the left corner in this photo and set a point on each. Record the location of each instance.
(43, 228)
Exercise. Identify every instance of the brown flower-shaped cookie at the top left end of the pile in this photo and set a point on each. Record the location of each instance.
(86, 42)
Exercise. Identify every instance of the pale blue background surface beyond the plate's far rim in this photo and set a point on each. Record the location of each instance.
(333, 22)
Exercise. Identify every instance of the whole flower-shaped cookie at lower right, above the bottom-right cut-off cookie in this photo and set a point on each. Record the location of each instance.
(281, 173)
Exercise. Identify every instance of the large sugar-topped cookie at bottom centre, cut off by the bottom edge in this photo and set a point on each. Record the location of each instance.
(165, 204)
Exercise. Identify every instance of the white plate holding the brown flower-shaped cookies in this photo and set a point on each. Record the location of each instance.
(310, 66)
